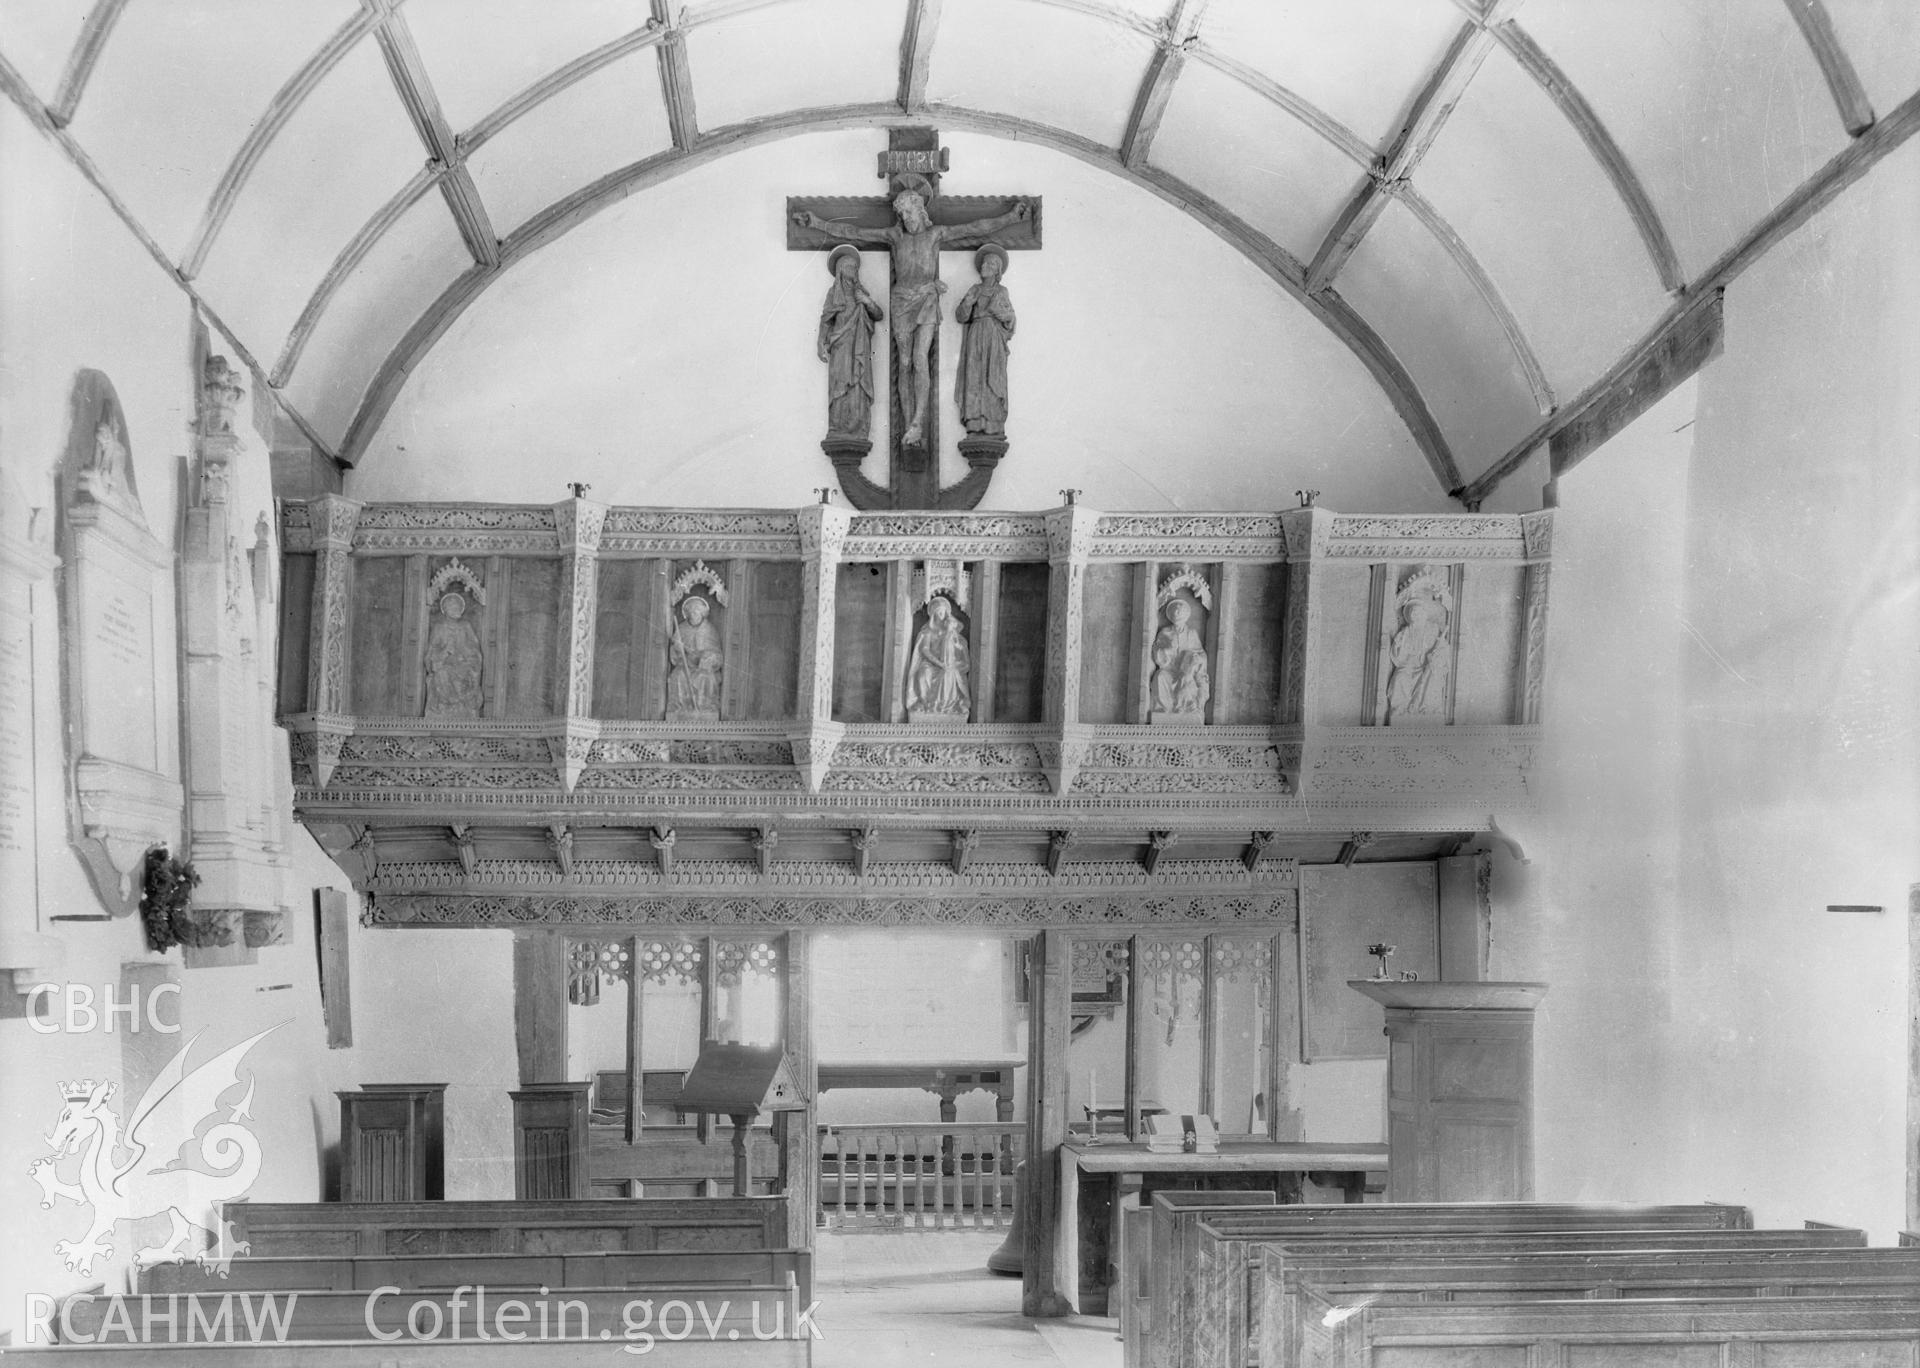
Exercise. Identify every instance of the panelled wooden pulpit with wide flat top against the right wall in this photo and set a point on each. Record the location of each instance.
(1460, 1088)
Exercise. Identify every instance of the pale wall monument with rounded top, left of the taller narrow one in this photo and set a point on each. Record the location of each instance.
(122, 693)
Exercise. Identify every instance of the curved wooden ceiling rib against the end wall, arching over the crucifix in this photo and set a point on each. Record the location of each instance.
(565, 214)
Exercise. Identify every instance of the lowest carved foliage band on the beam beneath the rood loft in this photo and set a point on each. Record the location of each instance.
(1249, 908)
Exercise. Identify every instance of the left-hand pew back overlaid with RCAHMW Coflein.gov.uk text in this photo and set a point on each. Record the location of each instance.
(402, 1317)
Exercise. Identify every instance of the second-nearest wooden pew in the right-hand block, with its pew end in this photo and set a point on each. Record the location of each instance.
(1308, 1294)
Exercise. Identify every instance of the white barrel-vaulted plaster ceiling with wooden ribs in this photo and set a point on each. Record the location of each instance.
(1497, 207)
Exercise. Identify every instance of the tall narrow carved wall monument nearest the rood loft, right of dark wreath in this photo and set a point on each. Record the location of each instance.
(233, 750)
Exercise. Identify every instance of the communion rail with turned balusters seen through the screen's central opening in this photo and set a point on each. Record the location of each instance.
(919, 1175)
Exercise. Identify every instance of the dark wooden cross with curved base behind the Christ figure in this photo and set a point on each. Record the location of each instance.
(913, 162)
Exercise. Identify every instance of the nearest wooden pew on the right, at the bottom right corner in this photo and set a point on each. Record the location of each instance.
(1800, 1332)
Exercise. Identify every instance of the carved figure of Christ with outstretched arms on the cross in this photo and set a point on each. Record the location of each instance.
(915, 245)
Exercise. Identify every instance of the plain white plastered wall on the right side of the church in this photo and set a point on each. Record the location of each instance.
(1735, 623)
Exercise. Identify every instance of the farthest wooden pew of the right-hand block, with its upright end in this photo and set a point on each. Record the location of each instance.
(1176, 1282)
